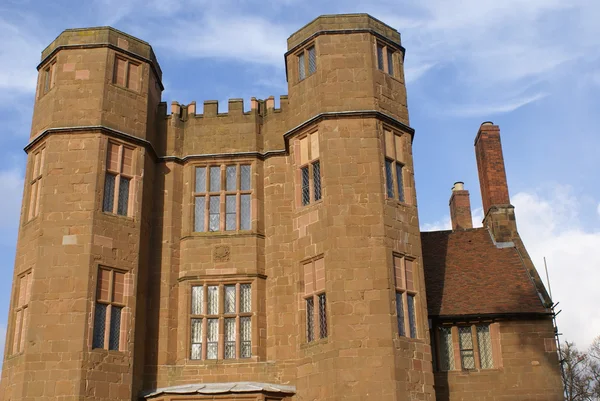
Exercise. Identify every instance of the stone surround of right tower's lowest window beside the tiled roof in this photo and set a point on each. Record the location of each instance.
(404, 289)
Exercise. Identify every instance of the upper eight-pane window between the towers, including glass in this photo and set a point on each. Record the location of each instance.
(211, 197)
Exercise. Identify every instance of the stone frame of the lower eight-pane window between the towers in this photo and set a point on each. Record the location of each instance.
(221, 316)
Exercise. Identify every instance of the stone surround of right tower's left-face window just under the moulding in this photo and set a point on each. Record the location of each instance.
(308, 161)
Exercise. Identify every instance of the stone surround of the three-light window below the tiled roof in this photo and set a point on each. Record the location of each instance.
(494, 331)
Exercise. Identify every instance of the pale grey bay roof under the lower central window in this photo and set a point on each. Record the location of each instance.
(223, 388)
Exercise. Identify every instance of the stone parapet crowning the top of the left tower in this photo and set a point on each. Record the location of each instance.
(104, 36)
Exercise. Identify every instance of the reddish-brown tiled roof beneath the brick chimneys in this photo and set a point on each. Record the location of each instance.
(467, 274)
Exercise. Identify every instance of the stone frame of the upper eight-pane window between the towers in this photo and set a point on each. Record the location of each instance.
(222, 193)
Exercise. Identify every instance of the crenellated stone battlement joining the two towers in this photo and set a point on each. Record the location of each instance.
(260, 107)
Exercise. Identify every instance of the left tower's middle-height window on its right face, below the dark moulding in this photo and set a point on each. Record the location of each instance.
(118, 179)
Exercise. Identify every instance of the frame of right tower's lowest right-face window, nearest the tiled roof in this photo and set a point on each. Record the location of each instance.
(406, 327)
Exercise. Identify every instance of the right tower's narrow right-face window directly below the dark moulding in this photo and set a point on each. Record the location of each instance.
(394, 166)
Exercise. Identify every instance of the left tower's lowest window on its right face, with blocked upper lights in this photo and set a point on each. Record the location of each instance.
(110, 301)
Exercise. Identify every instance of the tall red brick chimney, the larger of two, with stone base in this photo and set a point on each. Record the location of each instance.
(499, 213)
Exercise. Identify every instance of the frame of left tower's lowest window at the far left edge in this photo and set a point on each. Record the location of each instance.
(19, 325)
